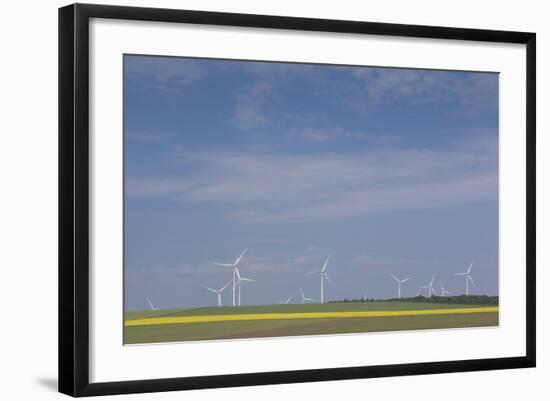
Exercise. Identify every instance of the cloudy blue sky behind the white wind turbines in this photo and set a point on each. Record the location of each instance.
(387, 170)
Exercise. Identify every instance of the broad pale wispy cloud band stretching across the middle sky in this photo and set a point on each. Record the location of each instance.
(271, 188)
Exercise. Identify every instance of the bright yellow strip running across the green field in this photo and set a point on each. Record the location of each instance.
(301, 315)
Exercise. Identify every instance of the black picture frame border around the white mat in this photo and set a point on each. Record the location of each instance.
(74, 198)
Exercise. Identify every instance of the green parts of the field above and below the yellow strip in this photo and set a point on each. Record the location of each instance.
(295, 327)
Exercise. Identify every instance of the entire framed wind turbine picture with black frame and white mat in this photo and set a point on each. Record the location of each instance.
(295, 199)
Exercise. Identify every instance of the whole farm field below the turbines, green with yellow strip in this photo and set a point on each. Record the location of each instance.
(217, 323)
